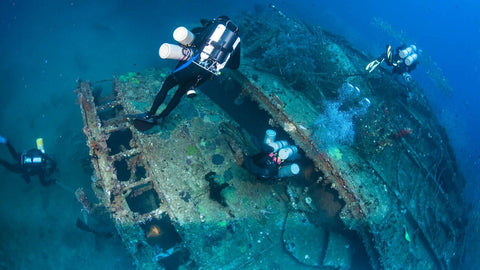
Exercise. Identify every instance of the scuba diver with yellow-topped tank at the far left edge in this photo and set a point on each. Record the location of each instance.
(30, 163)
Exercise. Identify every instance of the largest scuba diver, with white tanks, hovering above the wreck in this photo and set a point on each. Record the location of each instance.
(201, 55)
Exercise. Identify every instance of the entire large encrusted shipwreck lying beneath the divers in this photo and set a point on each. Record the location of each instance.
(179, 197)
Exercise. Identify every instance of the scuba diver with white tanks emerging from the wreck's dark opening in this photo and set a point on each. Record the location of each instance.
(275, 160)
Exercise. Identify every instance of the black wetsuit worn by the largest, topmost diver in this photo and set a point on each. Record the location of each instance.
(188, 75)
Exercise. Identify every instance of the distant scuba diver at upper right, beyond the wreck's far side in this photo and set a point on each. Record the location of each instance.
(403, 61)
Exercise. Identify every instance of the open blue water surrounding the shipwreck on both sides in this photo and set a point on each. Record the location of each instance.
(47, 45)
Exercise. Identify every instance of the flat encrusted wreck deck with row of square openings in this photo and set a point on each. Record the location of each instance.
(158, 181)
